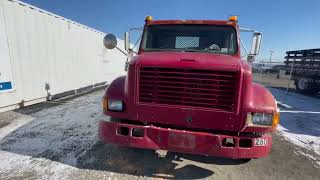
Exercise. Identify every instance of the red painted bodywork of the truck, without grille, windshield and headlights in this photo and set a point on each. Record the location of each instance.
(251, 97)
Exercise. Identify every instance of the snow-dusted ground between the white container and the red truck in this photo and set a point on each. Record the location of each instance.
(47, 143)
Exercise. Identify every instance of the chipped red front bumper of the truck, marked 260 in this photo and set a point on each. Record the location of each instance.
(181, 141)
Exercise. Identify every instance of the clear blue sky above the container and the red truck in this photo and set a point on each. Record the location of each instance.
(286, 25)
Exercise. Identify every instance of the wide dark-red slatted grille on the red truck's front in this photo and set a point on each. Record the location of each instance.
(205, 88)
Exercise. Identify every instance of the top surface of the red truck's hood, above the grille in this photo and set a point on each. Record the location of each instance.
(189, 59)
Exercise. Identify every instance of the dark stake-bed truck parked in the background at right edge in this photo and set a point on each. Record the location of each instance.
(304, 67)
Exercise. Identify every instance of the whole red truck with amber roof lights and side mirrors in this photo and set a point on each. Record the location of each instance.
(188, 90)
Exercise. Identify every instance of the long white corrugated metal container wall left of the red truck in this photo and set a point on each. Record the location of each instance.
(51, 55)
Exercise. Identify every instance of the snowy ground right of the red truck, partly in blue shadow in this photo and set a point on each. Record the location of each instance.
(300, 120)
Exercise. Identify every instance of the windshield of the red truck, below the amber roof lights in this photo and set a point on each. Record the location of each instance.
(192, 38)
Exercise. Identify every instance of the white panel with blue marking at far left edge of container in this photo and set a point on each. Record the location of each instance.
(6, 78)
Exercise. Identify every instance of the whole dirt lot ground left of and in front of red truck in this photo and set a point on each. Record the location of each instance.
(59, 141)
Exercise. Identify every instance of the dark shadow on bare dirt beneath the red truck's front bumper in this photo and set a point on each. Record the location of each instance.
(142, 162)
